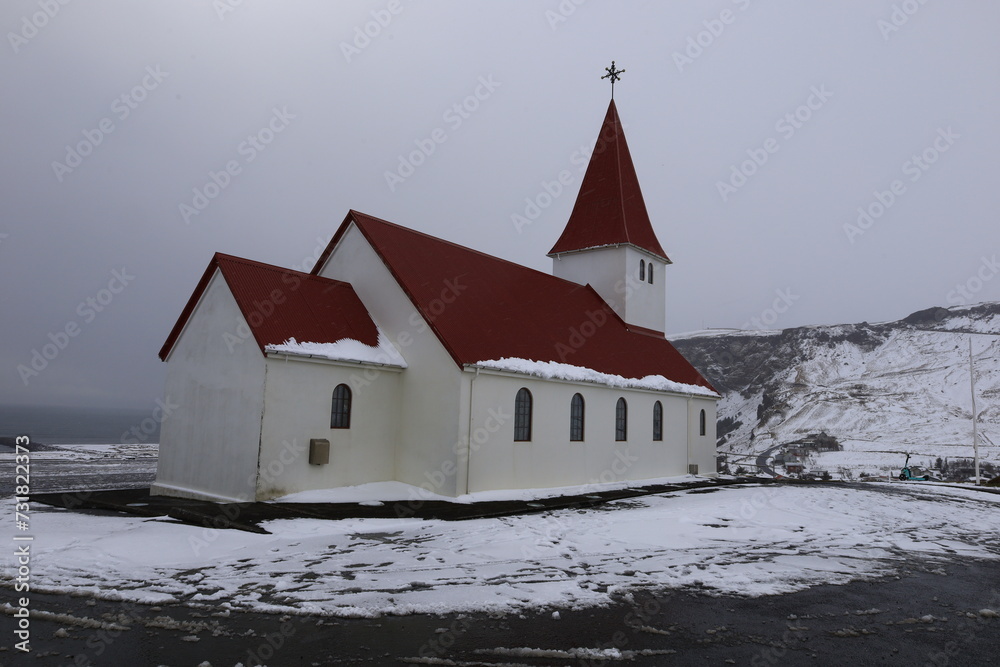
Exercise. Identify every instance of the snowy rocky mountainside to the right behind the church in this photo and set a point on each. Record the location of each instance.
(881, 389)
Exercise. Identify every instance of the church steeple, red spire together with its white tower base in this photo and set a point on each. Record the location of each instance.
(609, 242)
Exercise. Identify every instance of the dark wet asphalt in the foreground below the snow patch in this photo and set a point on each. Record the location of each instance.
(925, 616)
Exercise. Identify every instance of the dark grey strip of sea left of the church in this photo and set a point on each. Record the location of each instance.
(77, 426)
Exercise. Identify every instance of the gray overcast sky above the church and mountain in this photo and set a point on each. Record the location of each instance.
(708, 86)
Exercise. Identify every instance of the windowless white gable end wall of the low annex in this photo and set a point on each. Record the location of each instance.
(208, 446)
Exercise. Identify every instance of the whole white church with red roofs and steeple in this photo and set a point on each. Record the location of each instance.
(406, 357)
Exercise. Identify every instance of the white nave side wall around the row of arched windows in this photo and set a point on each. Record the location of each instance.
(551, 459)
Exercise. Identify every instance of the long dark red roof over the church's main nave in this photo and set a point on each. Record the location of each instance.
(484, 308)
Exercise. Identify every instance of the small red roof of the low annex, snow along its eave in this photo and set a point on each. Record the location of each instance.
(279, 304)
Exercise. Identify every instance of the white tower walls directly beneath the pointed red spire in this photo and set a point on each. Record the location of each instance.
(614, 273)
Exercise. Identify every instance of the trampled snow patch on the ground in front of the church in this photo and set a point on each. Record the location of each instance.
(749, 540)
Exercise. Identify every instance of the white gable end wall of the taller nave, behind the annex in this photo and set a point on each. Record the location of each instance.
(430, 423)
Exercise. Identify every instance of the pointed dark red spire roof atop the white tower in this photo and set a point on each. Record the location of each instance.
(609, 209)
